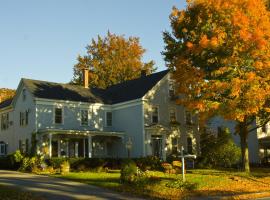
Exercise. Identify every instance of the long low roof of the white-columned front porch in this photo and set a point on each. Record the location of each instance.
(81, 132)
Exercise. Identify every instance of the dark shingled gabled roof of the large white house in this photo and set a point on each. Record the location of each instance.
(126, 91)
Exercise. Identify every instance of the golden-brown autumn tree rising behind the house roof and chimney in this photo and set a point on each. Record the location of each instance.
(111, 60)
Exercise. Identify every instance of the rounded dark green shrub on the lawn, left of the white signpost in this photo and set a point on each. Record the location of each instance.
(129, 171)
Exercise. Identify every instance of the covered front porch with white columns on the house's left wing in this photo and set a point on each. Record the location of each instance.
(77, 143)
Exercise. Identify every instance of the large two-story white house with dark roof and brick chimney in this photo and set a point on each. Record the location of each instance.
(76, 121)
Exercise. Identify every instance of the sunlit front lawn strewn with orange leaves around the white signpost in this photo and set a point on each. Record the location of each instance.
(210, 183)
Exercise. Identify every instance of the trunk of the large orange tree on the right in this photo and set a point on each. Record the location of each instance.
(244, 146)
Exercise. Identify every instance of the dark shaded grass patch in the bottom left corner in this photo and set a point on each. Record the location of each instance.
(13, 193)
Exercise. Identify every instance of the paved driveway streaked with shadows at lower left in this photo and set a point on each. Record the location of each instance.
(57, 189)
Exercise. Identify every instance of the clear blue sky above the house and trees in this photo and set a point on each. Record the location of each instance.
(41, 39)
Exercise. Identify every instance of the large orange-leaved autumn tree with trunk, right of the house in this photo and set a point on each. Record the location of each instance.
(219, 53)
